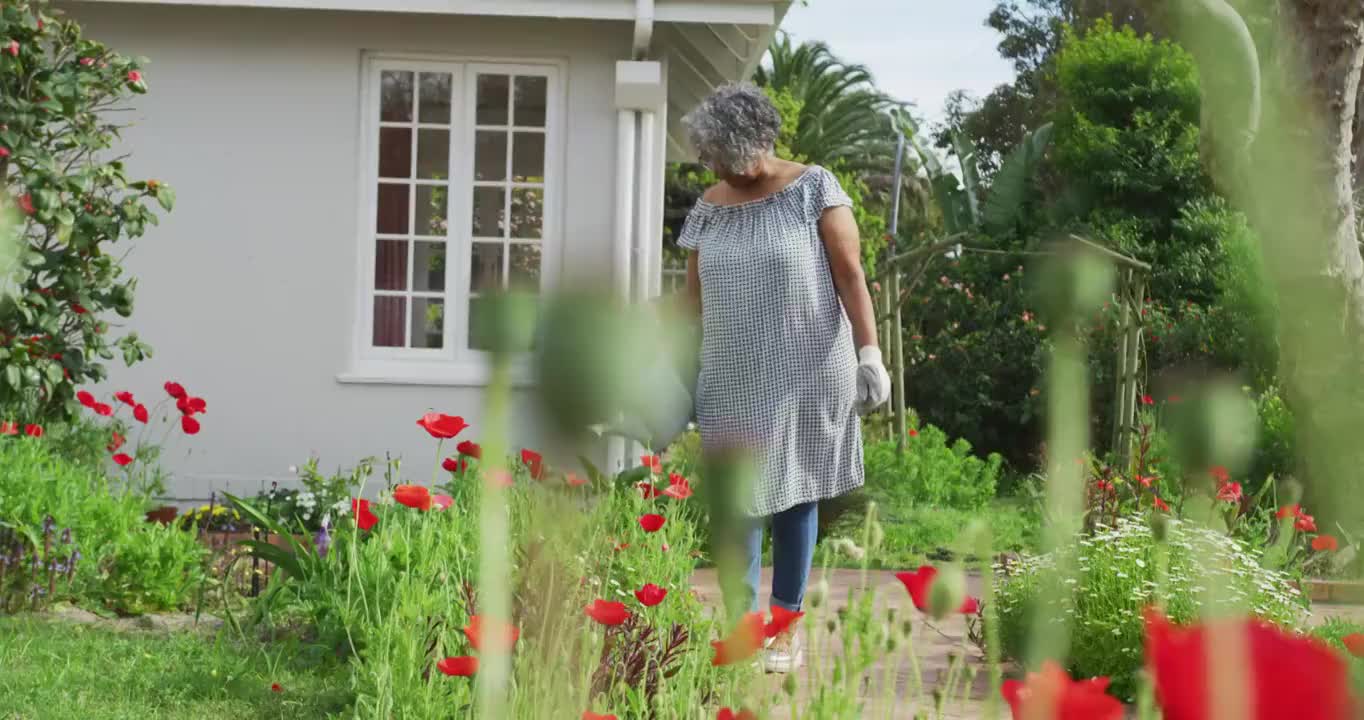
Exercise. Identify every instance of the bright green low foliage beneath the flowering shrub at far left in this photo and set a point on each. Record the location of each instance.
(128, 564)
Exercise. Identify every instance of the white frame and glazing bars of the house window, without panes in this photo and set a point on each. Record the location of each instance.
(455, 363)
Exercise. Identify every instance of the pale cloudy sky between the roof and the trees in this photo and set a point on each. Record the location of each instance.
(920, 51)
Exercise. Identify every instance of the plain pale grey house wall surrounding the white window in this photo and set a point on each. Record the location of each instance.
(248, 290)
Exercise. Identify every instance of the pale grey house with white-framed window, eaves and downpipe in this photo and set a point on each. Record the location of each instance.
(354, 175)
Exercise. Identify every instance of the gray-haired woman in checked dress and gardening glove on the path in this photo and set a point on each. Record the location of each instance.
(789, 350)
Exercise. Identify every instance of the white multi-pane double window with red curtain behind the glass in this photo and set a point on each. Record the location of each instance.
(460, 182)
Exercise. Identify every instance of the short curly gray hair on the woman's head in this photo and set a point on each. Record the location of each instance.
(733, 127)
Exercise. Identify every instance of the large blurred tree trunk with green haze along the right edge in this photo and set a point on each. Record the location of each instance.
(1287, 77)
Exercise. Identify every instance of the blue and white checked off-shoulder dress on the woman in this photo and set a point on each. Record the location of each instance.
(778, 365)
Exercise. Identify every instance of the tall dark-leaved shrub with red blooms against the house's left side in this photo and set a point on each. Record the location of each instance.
(76, 202)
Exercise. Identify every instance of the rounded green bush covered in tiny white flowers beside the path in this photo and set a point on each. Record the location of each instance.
(1123, 571)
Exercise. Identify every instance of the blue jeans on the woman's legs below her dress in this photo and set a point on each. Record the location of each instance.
(795, 532)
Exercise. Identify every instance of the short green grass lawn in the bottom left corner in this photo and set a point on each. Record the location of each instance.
(61, 672)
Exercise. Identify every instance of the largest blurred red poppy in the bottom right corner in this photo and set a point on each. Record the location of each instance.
(1288, 676)
